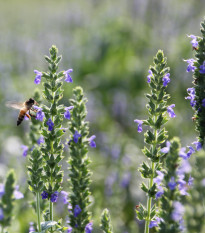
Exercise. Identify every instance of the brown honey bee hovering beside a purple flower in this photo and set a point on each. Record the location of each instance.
(25, 109)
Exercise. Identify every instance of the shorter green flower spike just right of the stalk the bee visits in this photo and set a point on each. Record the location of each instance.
(79, 174)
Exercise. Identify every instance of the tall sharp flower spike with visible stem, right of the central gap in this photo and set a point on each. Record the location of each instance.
(155, 136)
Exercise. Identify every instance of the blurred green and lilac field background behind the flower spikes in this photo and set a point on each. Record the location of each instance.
(110, 45)
